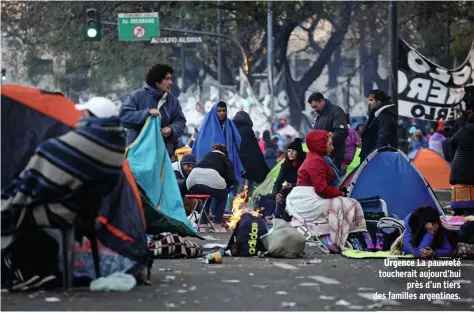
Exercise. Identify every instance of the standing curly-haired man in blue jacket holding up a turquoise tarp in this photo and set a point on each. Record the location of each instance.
(154, 100)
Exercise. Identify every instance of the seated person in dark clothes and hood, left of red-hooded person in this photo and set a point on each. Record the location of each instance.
(288, 175)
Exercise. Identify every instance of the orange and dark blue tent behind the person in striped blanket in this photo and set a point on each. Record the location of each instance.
(31, 116)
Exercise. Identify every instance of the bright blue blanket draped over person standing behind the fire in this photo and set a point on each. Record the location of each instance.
(211, 133)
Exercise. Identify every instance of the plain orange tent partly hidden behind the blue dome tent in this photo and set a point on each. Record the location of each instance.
(434, 168)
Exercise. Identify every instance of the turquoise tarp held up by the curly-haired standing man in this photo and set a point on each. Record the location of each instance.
(153, 171)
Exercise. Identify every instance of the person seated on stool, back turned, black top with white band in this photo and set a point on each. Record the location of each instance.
(213, 175)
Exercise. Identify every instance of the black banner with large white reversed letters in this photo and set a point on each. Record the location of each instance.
(427, 91)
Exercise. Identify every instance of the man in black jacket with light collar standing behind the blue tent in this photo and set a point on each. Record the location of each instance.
(382, 127)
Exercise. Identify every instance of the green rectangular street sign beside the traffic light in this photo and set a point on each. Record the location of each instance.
(138, 26)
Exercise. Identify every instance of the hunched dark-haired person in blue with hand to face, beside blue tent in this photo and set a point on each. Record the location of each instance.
(424, 235)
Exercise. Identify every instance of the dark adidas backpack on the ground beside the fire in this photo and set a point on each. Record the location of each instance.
(246, 238)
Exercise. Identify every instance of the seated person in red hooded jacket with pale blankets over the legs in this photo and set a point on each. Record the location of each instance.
(315, 200)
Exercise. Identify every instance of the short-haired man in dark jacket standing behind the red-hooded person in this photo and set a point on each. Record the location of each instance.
(330, 118)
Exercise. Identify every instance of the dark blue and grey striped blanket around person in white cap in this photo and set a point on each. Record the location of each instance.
(67, 176)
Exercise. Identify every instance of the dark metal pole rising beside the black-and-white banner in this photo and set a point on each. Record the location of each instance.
(393, 52)
